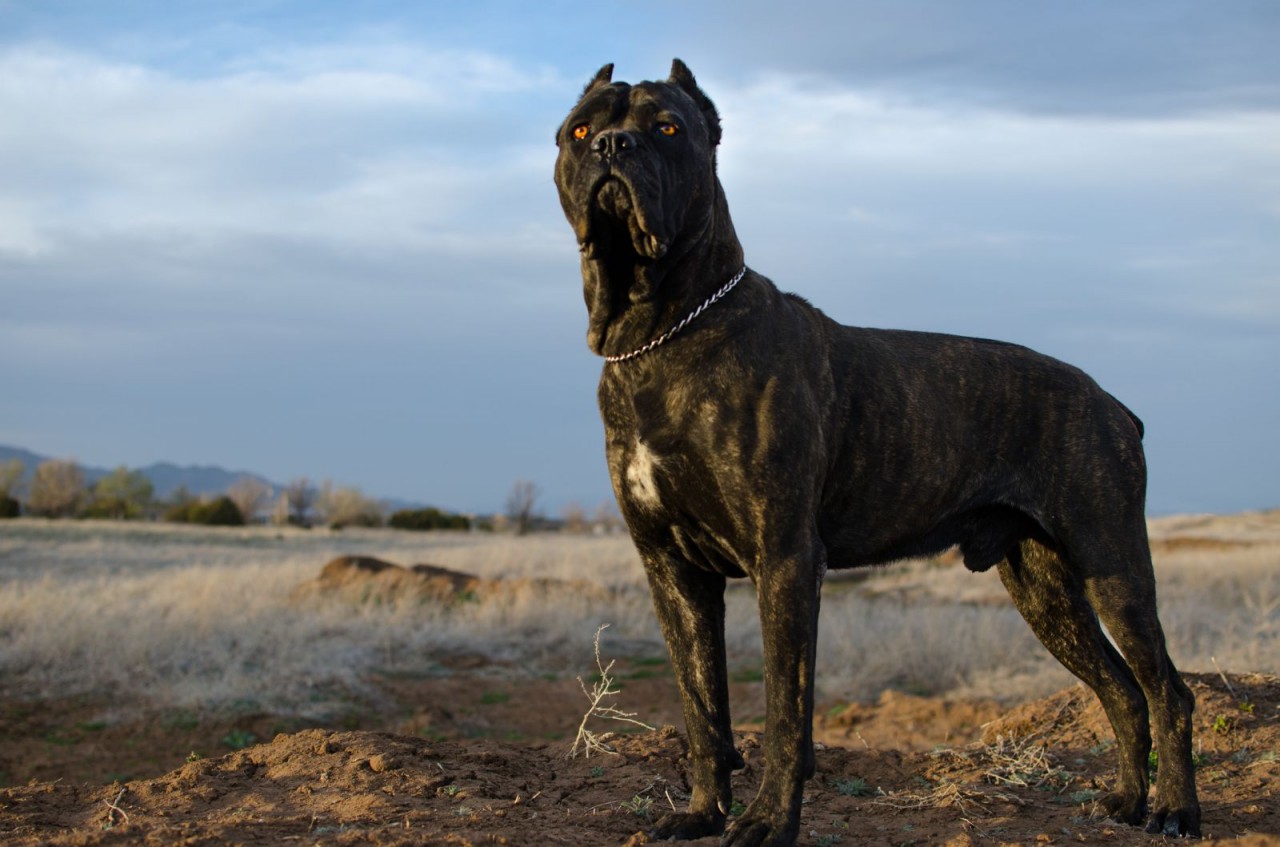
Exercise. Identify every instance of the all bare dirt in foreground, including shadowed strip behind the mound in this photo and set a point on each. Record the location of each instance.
(491, 768)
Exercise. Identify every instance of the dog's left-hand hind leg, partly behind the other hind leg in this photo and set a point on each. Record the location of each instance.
(1053, 601)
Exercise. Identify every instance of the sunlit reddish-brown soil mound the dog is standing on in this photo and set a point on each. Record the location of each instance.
(1032, 782)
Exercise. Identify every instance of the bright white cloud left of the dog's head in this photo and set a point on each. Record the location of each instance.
(304, 145)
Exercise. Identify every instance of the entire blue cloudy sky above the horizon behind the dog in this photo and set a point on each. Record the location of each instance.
(318, 239)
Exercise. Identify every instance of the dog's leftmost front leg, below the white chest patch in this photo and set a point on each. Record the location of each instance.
(691, 606)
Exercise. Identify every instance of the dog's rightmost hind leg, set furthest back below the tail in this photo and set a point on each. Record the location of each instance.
(1126, 601)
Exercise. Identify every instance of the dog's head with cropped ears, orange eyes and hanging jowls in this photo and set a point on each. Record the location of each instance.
(637, 178)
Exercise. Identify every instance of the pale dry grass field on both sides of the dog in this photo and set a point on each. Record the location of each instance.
(202, 617)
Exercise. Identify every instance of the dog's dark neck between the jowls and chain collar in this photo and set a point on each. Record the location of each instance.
(632, 301)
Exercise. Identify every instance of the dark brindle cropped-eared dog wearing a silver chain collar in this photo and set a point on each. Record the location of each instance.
(749, 436)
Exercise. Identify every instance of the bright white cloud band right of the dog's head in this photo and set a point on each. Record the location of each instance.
(840, 185)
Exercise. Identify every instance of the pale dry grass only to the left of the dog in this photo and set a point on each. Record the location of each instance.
(184, 616)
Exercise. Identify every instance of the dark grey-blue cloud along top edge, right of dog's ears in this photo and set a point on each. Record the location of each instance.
(1154, 58)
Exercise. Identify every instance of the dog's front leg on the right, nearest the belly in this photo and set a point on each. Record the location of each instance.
(789, 594)
